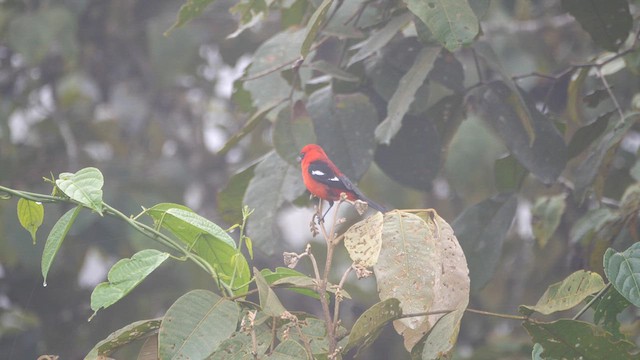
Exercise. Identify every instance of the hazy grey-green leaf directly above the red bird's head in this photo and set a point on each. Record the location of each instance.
(292, 130)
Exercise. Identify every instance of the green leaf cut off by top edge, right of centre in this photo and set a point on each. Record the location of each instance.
(452, 22)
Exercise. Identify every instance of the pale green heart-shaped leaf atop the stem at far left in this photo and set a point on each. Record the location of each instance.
(85, 187)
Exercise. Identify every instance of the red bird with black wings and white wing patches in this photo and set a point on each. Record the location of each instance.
(324, 180)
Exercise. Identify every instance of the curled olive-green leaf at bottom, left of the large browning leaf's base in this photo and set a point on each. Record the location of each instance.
(369, 325)
